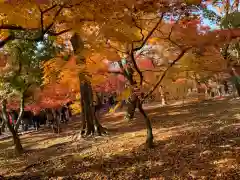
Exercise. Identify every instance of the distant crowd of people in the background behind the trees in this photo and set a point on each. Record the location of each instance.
(52, 117)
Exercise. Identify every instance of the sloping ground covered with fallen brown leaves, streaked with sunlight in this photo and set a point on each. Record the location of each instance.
(198, 141)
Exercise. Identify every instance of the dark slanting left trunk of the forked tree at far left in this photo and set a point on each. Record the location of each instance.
(16, 140)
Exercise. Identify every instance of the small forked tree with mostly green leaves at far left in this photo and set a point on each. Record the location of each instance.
(20, 76)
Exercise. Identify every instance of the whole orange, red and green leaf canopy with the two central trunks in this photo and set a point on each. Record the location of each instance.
(132, 46)
